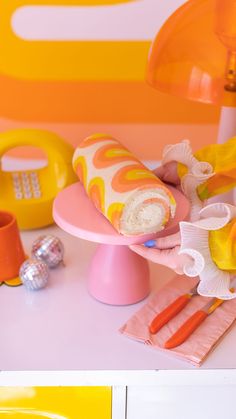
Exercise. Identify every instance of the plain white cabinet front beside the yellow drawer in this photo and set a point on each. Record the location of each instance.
(181, 402)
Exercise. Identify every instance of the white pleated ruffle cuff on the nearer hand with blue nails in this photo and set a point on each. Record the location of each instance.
(195, 243)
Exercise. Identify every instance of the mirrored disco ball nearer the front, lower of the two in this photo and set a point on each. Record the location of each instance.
(34, 274)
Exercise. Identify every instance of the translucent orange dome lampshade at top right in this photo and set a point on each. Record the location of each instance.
(194, 54)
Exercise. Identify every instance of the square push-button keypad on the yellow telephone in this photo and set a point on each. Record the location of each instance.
(26, 185)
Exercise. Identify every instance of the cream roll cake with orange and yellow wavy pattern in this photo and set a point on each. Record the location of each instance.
(129, 195)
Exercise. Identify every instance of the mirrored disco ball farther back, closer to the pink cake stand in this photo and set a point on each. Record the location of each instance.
(49, 249)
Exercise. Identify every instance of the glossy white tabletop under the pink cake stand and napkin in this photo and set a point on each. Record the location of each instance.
(63, 328)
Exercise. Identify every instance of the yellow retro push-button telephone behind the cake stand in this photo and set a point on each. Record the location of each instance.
(29, 194)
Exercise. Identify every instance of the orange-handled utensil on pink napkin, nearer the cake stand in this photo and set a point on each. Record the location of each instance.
(171, 311)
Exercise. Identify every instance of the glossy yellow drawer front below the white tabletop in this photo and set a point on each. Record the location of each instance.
(55, 402)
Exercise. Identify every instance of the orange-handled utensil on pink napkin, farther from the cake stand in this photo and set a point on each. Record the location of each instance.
(192, 324)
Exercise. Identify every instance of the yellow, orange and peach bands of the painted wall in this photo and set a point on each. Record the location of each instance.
(76, 88)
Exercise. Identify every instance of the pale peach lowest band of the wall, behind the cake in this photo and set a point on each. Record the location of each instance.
(145, 140)
